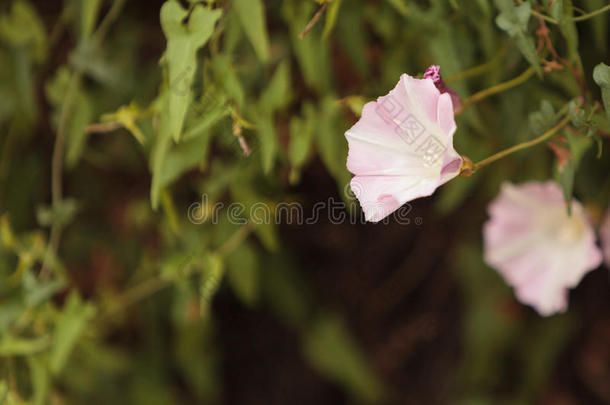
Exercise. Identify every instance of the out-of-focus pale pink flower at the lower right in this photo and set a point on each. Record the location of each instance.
(538, 249)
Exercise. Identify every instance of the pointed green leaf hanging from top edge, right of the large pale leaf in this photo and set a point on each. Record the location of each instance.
(251, 14)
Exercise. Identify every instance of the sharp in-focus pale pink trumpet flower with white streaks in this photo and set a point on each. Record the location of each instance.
(402, 147)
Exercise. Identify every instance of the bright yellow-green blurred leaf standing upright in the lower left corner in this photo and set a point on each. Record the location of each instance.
(71, 324)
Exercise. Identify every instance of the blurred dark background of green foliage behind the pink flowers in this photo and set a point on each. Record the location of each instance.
(122, 127)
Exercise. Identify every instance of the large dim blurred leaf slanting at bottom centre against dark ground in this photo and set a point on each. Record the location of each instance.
(331, 350)
